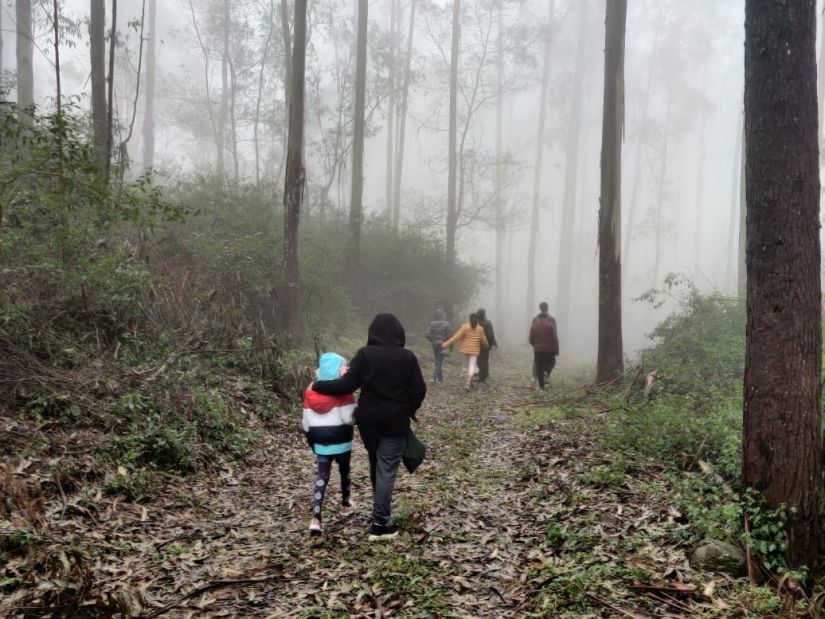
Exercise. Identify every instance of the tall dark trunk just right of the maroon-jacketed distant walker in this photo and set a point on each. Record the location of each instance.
(610, 362)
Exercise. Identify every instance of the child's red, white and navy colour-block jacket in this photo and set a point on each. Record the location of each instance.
(328, 421)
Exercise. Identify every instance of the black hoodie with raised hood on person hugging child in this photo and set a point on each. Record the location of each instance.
(390, 379)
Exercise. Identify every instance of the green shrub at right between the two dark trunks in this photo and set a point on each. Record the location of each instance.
(694, 411)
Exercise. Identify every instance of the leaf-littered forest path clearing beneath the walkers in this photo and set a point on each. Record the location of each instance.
(517, 512)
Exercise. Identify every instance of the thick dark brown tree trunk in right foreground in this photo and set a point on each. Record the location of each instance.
(782, 446)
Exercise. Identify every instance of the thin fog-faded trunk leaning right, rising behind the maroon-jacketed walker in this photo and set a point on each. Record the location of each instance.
(539, 163)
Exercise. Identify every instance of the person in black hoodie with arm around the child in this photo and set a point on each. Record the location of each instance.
(392, 389)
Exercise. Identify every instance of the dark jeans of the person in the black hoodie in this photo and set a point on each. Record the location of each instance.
(385, 452)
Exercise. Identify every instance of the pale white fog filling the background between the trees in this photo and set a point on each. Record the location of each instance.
(683, 107)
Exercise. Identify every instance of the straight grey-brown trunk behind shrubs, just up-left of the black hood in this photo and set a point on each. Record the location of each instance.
(353, 254)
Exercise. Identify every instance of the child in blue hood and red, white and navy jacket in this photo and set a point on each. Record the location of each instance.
(327, 424)
